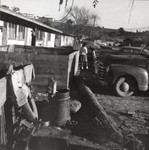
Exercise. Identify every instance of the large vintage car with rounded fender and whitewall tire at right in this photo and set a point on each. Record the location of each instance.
(127, 69)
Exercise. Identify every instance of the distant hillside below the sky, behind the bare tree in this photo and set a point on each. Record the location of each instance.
(100, 33)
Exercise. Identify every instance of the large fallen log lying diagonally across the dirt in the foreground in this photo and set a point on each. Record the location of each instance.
(94, 108)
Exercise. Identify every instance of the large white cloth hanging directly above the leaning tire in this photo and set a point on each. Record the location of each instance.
(21, 91)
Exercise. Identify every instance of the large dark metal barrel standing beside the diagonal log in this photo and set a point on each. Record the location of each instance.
(60, 108)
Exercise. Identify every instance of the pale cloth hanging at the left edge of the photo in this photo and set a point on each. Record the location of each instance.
(3, 83)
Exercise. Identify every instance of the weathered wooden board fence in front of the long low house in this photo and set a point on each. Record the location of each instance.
(59, 63)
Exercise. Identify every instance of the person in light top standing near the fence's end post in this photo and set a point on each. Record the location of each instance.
(83, 56)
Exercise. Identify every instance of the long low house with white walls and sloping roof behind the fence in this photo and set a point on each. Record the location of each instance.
(15, 28)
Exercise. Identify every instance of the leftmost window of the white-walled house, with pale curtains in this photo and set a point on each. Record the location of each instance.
(12, 28)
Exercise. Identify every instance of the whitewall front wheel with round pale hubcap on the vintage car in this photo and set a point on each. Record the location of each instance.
(124, 87)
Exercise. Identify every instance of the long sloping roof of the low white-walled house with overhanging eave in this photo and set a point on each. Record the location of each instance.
(17, 18)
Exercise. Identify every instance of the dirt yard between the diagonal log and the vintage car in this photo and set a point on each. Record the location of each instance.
(130, 114)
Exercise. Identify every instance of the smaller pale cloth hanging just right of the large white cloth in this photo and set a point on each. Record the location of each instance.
(29, 73)
